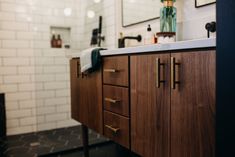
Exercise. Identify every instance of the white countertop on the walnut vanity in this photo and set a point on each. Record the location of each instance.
(179, 45)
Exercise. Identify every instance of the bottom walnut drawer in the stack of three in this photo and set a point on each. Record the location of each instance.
(117, 128)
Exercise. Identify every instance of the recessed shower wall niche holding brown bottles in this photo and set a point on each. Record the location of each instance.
(60, 37)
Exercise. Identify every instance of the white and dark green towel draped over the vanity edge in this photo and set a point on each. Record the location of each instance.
(90, 59)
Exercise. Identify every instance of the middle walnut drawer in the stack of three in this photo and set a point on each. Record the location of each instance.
(116, 99)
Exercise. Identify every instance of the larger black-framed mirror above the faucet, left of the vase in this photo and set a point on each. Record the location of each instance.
(138, 11)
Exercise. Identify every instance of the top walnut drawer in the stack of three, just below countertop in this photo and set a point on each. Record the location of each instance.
(116, 71)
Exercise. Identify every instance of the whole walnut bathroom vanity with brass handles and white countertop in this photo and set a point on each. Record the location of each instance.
(156, 100)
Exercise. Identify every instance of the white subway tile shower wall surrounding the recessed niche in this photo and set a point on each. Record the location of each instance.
(35, 77)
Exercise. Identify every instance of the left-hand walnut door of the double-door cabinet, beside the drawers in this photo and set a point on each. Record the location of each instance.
(150, 106)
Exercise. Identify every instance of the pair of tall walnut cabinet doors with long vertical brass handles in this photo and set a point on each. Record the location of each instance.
(173, 104)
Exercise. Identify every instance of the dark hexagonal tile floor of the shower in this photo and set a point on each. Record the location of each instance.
(46, 142)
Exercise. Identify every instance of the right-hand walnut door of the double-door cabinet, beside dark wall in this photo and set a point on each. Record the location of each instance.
(193, 106)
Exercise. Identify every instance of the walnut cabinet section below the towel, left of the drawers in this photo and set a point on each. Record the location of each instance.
(86, 97)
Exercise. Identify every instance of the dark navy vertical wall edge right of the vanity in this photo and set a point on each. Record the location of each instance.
(225, 127)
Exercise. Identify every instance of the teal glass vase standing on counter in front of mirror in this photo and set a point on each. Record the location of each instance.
(168, 16)
